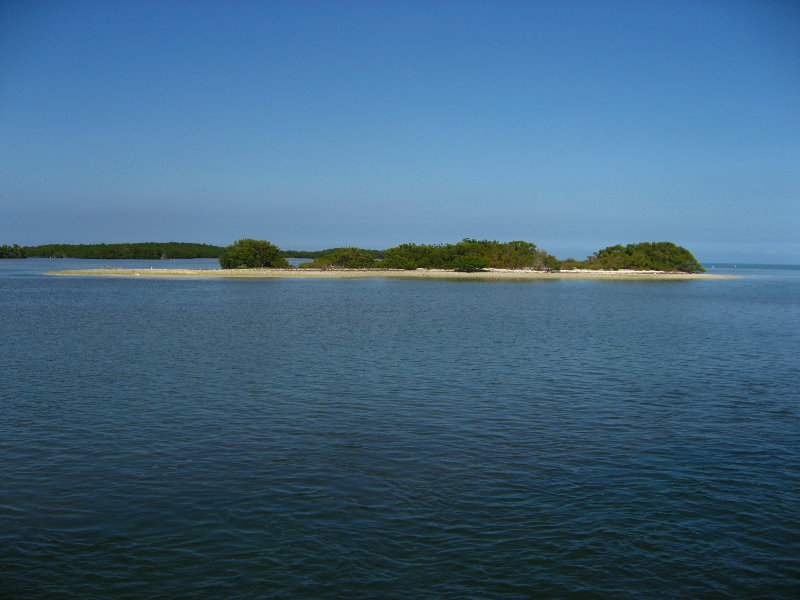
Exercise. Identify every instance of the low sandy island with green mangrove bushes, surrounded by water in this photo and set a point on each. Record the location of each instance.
(467, 259)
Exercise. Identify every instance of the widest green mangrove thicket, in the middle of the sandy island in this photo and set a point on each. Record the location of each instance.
(470, 255)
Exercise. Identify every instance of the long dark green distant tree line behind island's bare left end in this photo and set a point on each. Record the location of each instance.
(141, 250)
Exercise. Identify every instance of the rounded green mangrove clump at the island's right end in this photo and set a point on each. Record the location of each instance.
(646, 256)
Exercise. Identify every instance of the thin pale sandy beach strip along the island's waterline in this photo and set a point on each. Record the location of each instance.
(491, 274)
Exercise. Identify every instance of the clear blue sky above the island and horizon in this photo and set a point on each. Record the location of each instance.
(571, 124)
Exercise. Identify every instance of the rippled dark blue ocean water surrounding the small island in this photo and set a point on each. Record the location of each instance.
(380, 438)
